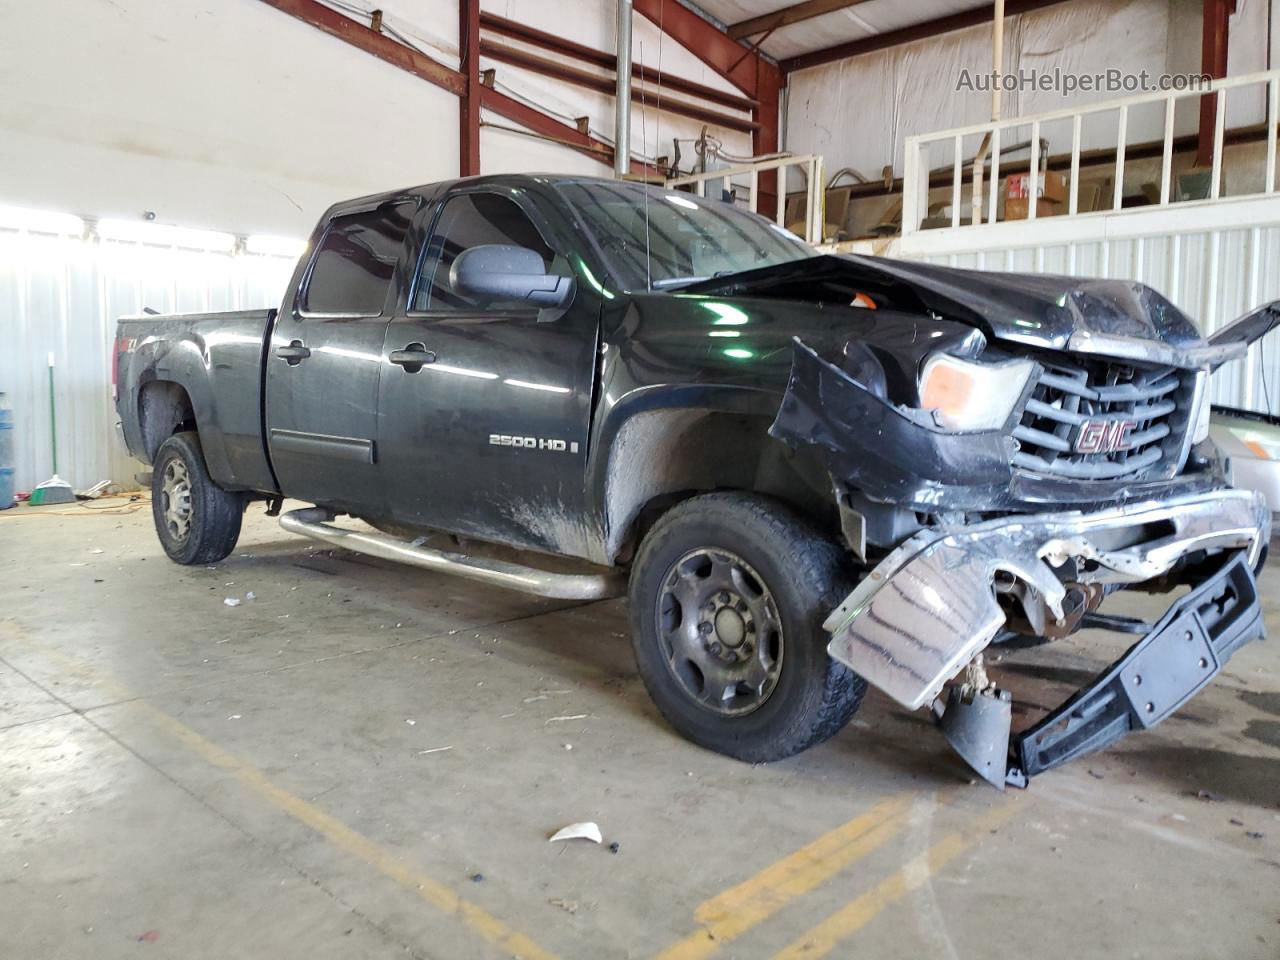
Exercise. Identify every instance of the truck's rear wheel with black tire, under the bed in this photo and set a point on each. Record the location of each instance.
(213, 516)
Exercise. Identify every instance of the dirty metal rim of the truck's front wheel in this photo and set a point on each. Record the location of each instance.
(721, 632)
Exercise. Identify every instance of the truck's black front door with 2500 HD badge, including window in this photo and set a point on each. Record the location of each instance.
(484, 408)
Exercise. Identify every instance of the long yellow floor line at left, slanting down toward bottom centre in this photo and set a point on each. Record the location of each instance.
(433, 893)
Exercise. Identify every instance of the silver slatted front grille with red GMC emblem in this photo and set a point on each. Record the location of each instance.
(1149, 403)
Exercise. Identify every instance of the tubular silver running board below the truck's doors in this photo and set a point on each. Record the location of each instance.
(316, 523)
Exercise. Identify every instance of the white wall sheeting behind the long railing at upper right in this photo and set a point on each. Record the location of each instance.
(858, 112)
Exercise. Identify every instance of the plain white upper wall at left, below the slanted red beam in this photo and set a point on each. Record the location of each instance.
(227, 116)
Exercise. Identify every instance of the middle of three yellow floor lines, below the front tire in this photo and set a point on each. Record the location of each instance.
(735, 912)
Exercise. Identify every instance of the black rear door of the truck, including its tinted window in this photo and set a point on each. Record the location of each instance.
(324, 362)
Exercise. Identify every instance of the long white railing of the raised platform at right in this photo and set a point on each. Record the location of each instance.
(916, 173)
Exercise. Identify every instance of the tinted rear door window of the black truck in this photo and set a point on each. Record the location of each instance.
(356, 262)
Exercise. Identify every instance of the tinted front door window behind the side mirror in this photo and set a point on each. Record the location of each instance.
(472, 221)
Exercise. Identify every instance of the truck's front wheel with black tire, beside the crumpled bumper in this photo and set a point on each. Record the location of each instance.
(803, 574)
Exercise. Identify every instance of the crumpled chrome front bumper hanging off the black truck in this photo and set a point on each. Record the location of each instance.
(930, 607)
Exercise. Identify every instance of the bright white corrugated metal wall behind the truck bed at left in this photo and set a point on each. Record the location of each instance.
(61, 296)
